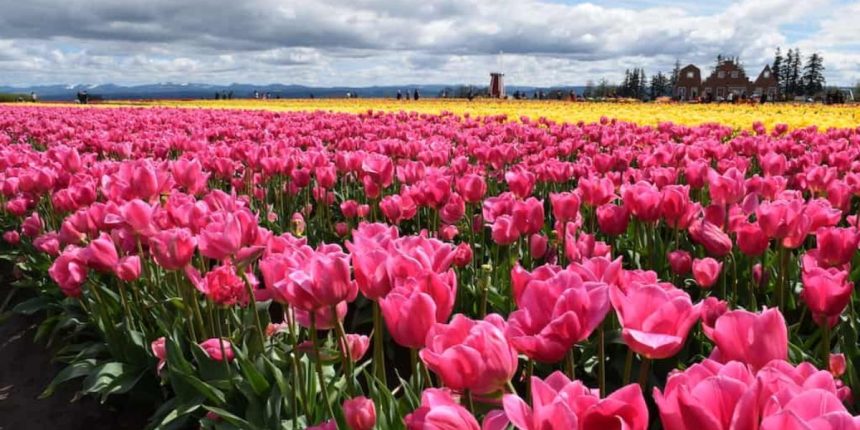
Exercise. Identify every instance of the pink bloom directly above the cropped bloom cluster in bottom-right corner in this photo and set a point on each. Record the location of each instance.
(750, 338)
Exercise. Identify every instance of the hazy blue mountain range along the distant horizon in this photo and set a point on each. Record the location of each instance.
(206, 91)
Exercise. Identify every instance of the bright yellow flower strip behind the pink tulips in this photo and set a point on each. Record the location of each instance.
(737, 116)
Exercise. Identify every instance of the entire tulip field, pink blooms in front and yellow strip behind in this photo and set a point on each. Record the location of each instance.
(376, 269)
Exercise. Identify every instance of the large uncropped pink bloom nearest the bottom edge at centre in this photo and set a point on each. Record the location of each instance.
(471, 355)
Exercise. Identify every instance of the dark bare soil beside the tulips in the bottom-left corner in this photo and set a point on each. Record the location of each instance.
(25, 371)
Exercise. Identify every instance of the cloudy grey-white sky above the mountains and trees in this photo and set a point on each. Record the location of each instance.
(378, 42)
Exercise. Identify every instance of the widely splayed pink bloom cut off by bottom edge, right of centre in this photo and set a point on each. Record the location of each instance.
(561, 404)
